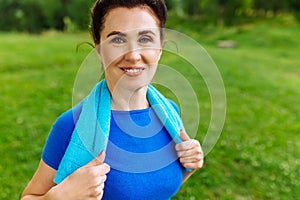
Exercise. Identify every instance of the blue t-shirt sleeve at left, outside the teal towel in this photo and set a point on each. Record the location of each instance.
(59, 136)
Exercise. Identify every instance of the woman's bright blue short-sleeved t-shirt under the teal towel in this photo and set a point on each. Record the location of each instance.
(140, 152)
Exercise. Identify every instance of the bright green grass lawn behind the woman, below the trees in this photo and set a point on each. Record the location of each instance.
(257, 155)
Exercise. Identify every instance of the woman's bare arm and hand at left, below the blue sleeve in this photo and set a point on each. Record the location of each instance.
(86, 182)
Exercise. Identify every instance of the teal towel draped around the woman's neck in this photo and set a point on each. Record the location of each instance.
(91, 132)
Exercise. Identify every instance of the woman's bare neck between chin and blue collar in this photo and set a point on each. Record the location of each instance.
(126, 99)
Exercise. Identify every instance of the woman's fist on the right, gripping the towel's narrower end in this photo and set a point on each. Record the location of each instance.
(189, 152)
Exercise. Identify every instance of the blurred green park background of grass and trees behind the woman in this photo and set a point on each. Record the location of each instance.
(257, 155)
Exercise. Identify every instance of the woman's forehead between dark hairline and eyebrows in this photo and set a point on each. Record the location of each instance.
(129, 19)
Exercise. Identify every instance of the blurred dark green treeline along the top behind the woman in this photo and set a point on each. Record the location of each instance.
(36, 15)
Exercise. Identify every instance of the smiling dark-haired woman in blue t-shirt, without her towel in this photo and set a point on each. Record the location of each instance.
(128, 37)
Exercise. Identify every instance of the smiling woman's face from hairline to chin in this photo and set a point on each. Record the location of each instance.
(130, 47)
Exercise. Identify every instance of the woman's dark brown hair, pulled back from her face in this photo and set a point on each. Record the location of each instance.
(102, 7)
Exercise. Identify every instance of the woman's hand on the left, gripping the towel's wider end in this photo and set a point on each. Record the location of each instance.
(86, 182)
